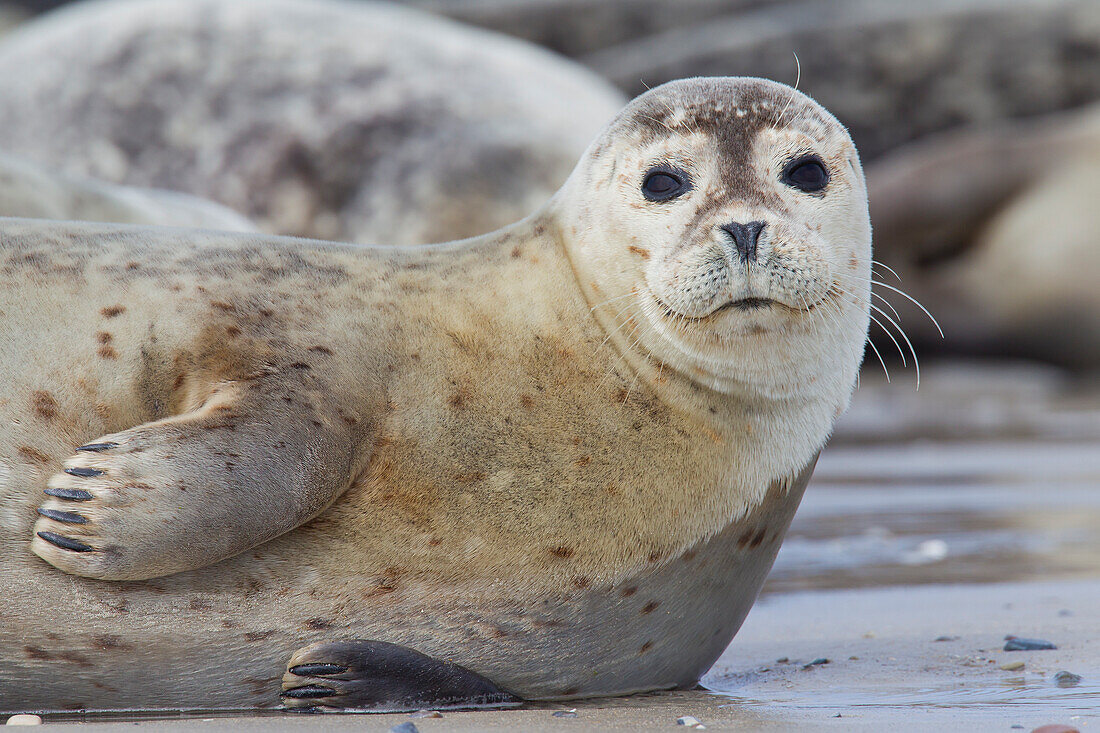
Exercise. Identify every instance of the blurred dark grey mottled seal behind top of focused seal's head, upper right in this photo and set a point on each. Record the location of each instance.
(893, 71)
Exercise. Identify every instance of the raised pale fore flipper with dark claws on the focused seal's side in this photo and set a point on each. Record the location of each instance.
(191, 490)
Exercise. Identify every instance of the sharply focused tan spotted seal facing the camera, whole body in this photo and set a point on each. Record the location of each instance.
(549, 463)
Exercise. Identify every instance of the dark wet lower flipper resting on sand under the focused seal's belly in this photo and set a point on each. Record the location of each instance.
(383, 677)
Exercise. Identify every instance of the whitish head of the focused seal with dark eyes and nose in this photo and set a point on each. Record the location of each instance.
(732, 214)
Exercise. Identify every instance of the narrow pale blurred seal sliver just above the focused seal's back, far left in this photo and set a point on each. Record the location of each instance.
(32, 191)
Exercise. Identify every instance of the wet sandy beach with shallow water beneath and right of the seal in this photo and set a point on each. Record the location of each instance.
(939, 522)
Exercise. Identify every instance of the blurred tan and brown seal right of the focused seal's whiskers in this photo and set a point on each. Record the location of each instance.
(998, 231)
